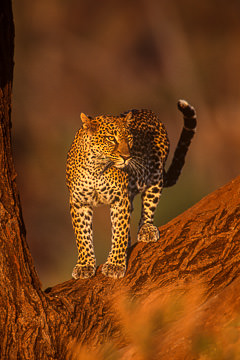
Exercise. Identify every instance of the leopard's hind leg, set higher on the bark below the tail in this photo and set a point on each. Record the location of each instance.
(150, 198)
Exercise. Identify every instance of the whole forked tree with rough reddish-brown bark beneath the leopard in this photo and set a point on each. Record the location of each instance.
(198, 254)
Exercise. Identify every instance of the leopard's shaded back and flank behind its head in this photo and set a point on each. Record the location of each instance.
(149, 151)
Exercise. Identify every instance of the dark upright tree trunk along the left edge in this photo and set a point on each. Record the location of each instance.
(21, 300)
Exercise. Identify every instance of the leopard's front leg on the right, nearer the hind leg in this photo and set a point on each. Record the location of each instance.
(115, 265)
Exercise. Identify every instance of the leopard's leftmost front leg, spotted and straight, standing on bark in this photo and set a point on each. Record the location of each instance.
(82, 224)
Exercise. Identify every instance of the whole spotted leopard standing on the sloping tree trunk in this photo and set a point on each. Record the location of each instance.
(111, 160)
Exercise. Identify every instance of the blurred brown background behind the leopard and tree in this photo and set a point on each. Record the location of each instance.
(105, 57)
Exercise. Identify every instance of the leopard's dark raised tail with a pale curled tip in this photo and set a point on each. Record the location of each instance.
(188, 131)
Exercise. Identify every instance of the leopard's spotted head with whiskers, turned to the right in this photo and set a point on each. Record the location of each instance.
(109, 139)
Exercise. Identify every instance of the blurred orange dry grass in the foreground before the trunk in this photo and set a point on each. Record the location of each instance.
(168, 326)
